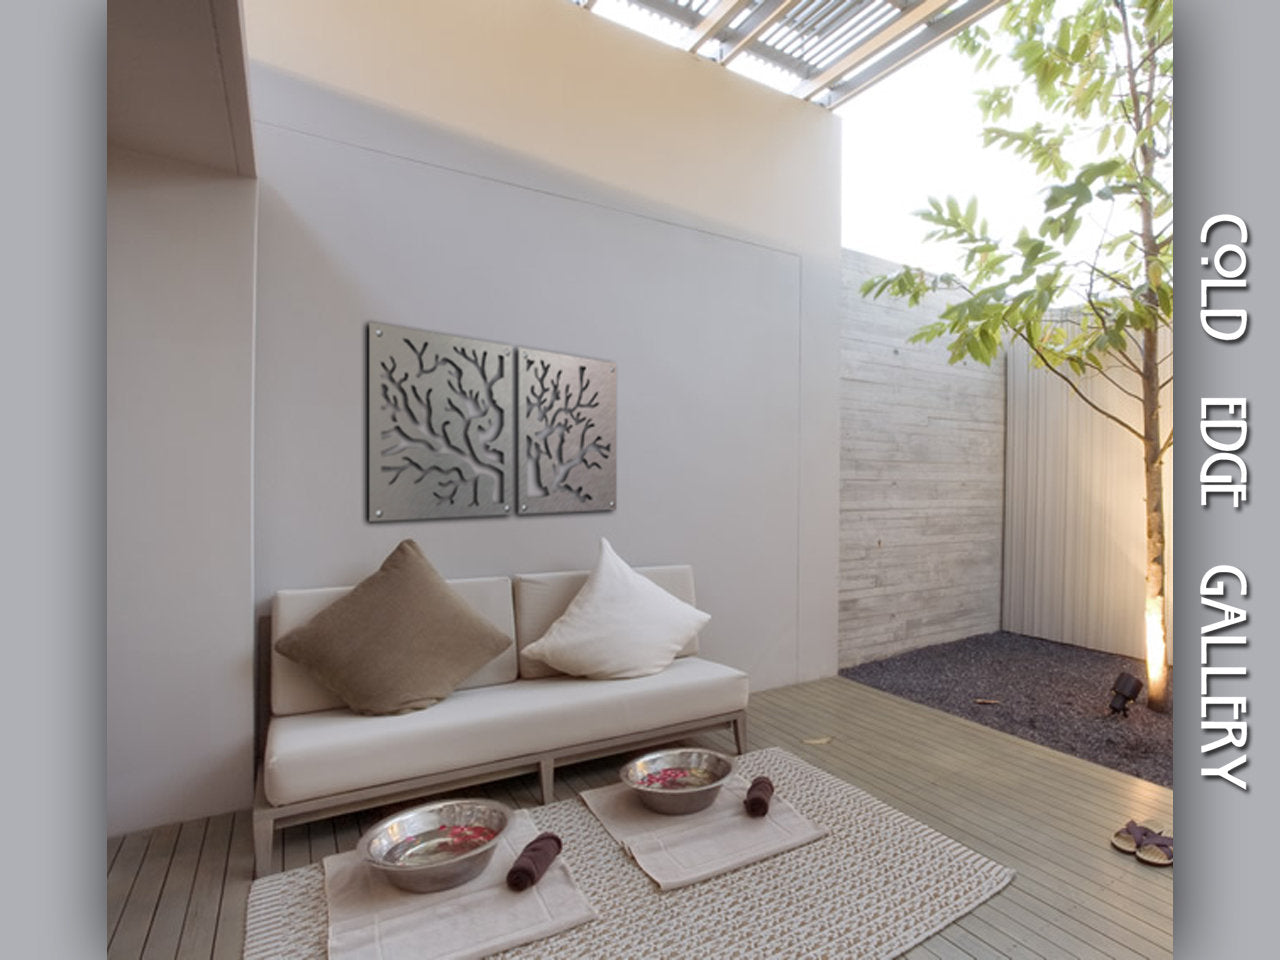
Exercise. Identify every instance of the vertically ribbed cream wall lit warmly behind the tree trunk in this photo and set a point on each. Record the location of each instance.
(1075, 518)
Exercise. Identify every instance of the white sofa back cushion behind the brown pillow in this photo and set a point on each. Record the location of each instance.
(295, 691)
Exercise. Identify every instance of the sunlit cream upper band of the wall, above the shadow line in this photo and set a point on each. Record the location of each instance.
(577, 93)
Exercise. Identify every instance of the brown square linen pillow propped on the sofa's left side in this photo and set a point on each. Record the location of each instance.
(401, 641)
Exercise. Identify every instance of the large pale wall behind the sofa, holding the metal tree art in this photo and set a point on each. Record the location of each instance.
(578, 189)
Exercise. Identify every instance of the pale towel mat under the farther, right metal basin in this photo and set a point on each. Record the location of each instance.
(692, 848)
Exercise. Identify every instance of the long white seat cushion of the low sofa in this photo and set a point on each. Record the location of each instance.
(317, 755)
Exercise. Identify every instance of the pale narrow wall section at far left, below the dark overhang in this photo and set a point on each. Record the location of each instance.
(180, 301)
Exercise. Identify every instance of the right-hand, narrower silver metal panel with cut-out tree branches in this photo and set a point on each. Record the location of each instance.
(566, 456)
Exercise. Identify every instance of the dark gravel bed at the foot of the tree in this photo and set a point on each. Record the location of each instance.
(1049, 693)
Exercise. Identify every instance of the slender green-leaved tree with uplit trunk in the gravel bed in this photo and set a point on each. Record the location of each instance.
(1103, 72)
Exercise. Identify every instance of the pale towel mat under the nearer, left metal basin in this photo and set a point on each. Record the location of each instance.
(373, 920)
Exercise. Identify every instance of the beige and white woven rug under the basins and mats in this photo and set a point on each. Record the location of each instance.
(872, 889)
